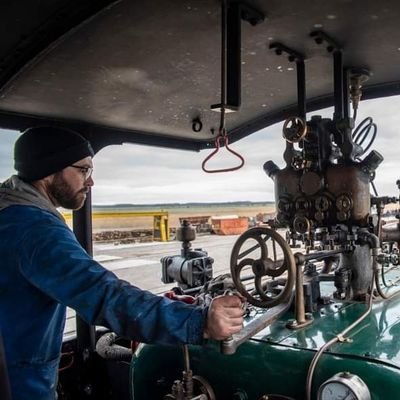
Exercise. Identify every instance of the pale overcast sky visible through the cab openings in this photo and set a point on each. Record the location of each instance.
(147, 175)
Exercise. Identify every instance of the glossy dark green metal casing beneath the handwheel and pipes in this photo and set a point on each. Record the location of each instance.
(276, 360)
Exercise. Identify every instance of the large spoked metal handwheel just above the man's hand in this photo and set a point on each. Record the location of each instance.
(262, 255)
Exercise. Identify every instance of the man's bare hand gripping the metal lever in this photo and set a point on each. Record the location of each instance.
(224, 318)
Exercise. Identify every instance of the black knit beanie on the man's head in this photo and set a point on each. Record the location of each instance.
(42, 151)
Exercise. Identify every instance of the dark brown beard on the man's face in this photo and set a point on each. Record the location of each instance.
(64, 195)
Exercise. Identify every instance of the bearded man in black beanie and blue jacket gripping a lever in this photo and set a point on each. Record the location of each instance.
(44, 269)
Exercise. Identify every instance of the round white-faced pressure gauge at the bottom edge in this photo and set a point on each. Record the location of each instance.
(344, 386)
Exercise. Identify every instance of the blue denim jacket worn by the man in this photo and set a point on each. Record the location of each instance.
(43, 270)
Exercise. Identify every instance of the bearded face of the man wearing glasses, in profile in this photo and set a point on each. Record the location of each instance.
(69, 187)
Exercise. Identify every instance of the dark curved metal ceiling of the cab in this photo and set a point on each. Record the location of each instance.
(141, 72)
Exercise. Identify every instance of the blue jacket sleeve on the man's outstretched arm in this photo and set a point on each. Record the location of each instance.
(52, 260)
